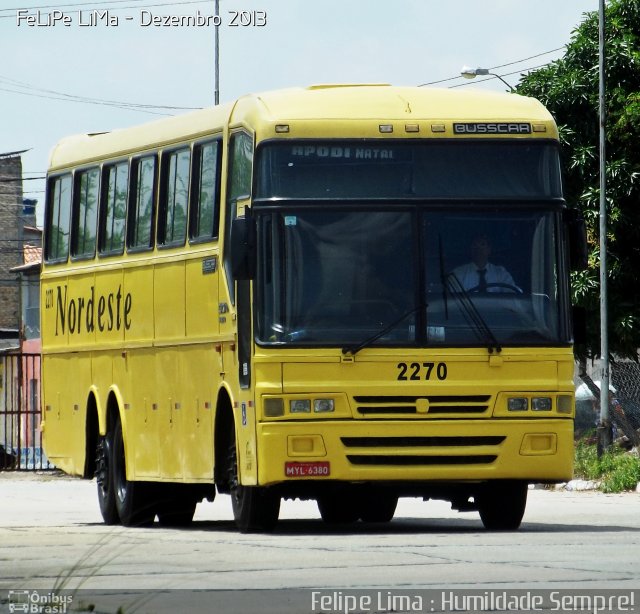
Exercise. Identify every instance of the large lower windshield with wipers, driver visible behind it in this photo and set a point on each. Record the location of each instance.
(410, 276)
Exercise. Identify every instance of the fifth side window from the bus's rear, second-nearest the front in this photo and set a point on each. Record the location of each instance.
(174, 197)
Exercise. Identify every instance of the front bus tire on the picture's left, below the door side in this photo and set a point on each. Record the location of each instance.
(255, 508)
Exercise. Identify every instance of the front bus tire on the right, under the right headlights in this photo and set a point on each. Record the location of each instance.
(502, 505)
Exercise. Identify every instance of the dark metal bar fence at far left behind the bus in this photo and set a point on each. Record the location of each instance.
(20, 436)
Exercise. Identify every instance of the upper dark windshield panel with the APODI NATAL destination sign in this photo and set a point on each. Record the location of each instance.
(373, 169)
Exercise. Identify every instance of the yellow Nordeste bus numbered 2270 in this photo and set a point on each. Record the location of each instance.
(283, 297)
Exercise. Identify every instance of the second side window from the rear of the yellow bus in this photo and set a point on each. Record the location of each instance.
(85, 213)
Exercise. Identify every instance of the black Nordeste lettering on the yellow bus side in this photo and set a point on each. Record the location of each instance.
(78, 314)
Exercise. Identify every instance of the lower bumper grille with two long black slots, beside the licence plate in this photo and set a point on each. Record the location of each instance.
(391, 457)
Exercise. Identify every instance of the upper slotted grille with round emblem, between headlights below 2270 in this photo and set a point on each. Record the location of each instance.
(436, 406)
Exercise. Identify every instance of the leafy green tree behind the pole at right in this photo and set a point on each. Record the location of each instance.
(569, 89)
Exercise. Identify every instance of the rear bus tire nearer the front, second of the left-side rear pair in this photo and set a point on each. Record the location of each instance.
(134, 500)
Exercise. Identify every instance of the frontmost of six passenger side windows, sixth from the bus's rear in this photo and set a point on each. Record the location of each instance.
(205, 192)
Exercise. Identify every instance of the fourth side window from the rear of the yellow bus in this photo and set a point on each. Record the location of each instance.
(141, 204)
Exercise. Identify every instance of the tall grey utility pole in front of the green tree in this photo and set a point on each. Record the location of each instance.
(605, 435)
